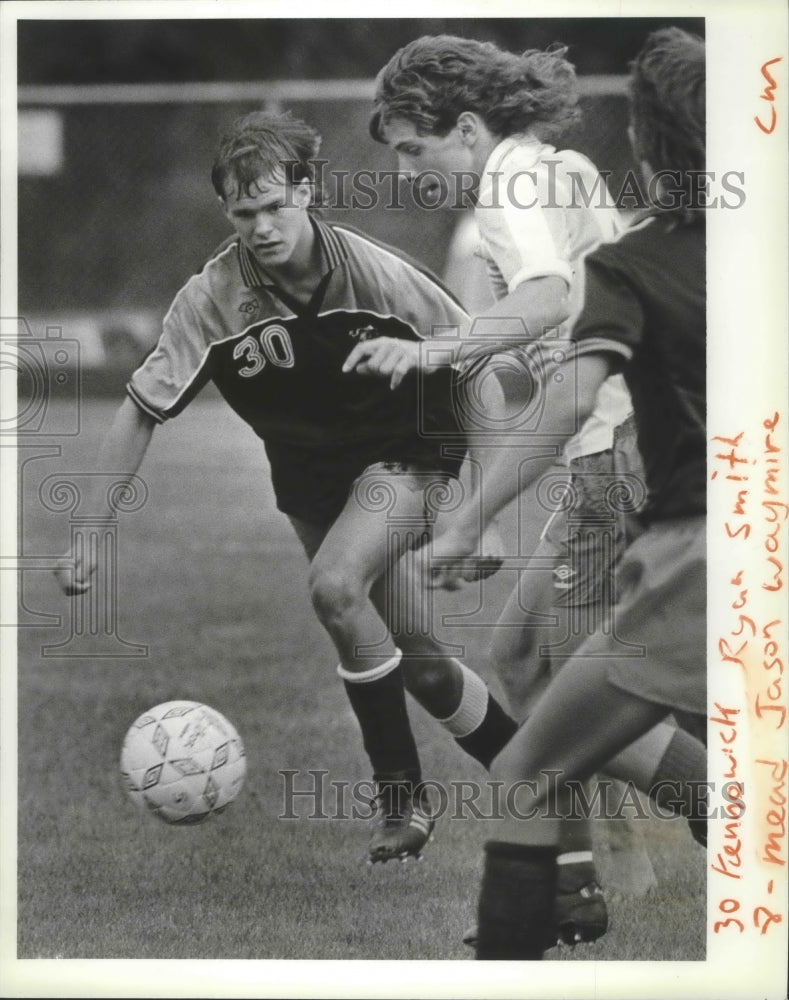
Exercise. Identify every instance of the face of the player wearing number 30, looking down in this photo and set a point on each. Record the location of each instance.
(272, 221)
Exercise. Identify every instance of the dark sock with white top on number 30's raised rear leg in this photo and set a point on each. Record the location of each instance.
(479, 724)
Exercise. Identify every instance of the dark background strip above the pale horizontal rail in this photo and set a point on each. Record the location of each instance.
(187, 50)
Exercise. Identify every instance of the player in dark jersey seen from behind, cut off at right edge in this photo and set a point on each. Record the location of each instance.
(644, 315)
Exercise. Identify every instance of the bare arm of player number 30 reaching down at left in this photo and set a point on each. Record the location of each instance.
(121, 453)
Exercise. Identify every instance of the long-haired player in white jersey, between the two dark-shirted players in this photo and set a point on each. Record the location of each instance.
(475, 119)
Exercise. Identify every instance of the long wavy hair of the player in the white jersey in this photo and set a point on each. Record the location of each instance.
(434, 79)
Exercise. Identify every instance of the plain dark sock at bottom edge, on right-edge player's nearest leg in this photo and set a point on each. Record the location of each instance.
(516, 901)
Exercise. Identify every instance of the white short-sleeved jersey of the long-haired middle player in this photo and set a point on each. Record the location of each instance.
(539, 212)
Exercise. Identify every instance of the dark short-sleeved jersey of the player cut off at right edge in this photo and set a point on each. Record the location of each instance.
(646, 303)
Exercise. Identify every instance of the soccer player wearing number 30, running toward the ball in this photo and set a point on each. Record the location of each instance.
(270, 319)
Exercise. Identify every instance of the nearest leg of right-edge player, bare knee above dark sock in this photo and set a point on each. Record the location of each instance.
(517, 915)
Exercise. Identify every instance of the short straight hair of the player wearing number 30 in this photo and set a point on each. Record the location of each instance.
(259, 145)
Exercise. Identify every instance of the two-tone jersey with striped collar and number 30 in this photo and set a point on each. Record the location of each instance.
(279, 366)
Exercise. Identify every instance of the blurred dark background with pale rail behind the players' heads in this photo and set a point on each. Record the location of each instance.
(119, 122)
